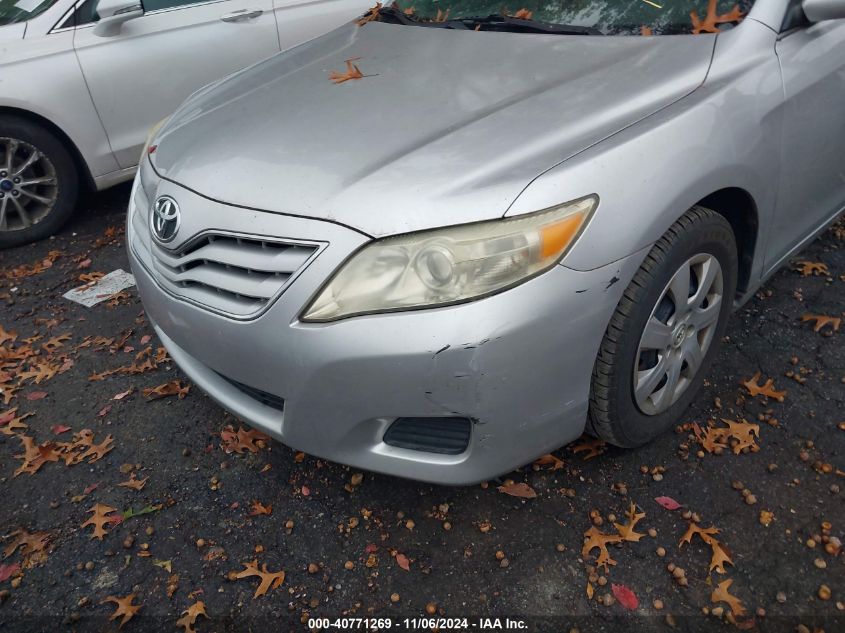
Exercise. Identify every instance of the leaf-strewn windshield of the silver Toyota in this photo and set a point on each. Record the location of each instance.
(609, 17)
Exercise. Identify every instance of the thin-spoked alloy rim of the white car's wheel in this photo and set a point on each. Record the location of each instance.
(28, 185)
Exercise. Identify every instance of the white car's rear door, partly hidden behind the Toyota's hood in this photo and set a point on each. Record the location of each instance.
(302, 20)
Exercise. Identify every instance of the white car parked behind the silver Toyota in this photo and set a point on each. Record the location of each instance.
(83, 81)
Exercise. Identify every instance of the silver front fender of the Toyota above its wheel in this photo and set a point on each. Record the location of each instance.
(725, 134)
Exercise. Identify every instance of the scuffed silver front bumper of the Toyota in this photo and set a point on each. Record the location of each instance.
(518, 364)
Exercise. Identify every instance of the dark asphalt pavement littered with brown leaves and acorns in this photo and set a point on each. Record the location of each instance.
(358, 548)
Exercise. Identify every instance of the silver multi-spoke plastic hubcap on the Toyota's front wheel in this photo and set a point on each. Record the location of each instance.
(678, 334)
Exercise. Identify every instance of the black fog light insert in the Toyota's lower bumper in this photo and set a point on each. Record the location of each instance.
(447, 436)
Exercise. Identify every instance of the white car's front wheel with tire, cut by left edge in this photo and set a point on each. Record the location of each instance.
(38, 183)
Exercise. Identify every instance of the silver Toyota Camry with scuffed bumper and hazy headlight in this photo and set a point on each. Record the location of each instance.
(444, 239)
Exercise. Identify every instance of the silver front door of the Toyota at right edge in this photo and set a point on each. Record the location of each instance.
(812, 183)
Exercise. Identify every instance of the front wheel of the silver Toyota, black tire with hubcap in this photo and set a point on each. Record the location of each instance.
(665, 331)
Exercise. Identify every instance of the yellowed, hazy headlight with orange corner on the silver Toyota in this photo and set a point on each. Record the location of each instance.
(452, 265)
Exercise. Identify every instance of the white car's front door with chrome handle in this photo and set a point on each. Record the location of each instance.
(141, 75)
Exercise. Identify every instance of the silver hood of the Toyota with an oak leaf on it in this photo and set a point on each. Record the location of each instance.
(446, 126)
